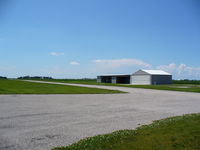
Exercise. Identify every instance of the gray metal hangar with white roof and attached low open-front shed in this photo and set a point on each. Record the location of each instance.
(140, 77)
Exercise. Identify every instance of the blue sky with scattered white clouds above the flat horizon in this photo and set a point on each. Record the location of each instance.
(86, 38)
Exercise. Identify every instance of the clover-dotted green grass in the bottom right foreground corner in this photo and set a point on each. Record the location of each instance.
(176, 133)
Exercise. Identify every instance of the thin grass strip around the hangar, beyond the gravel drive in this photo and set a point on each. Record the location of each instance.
(184, 86)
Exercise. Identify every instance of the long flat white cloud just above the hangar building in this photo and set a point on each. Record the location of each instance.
(117, 63)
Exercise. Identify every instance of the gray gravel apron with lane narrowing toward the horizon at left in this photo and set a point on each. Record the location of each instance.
(41, 122)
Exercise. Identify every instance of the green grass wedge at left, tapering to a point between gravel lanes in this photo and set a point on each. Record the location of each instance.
(23, 87)
